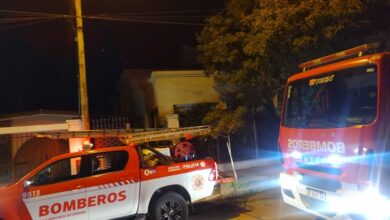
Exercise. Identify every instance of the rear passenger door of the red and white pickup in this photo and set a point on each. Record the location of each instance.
(112, 190)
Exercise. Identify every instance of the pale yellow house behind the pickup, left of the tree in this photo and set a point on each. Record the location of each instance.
(148, 96)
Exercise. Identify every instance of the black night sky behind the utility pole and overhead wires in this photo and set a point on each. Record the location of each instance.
(38, 57)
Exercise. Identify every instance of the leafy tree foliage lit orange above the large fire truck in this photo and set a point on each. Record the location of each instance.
(252, 46)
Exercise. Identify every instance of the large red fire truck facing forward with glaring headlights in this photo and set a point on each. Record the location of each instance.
(335, 136)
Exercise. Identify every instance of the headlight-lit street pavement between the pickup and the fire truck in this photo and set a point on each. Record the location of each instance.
(256, 196)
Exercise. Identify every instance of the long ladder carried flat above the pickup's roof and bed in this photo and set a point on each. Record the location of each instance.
(132, 136)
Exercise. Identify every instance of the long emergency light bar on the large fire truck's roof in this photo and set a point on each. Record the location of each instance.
(340, 55)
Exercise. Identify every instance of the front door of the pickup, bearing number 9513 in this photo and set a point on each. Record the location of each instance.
(57, 191)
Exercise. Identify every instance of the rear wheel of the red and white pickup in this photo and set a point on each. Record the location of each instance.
(170, 206)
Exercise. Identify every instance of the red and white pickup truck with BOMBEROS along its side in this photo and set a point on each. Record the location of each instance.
(109, 183)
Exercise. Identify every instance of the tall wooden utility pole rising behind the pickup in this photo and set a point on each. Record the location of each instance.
(83, 93)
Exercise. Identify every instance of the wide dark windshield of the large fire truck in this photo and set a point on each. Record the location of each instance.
(336, 99)
